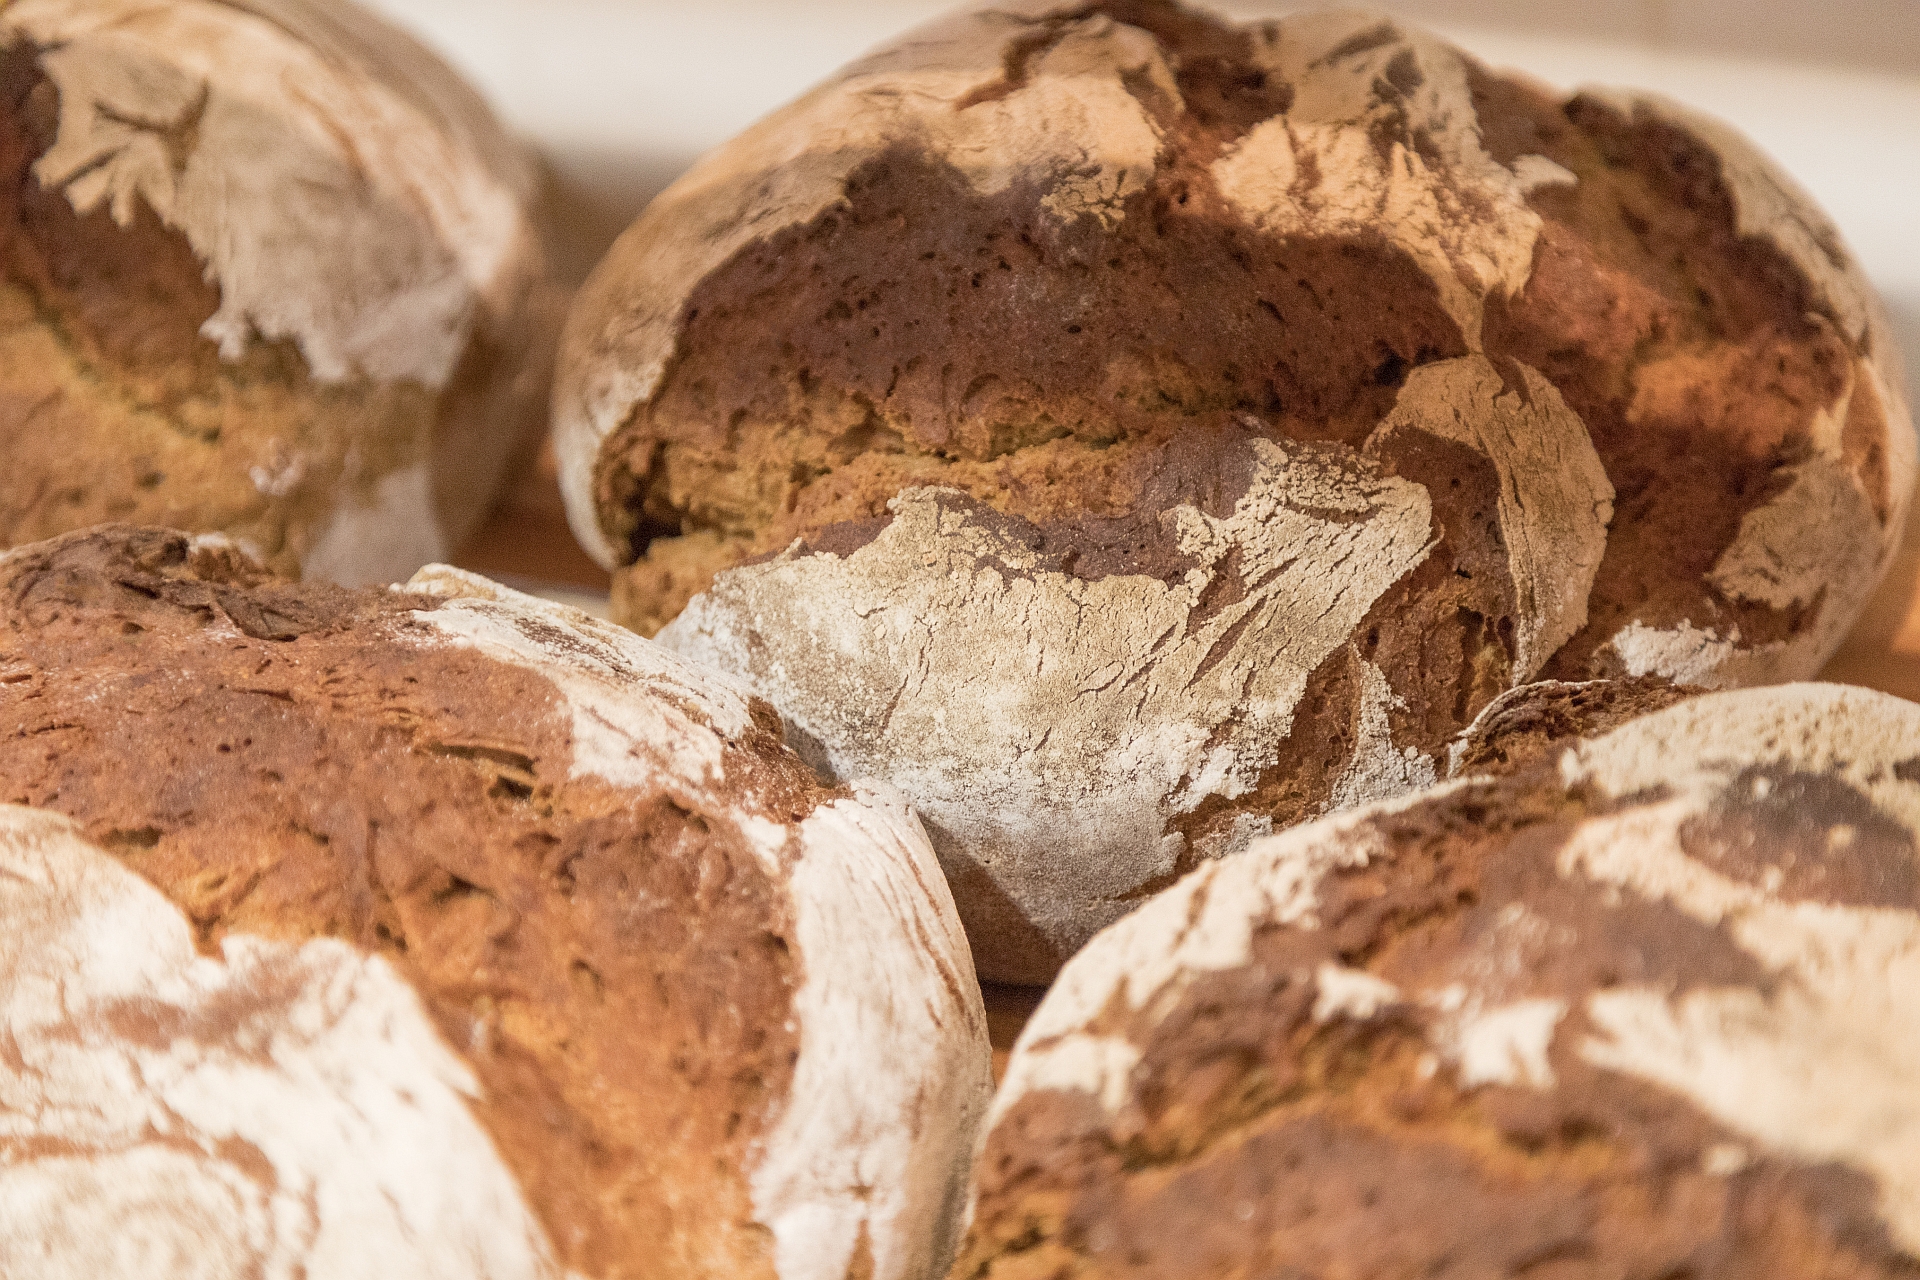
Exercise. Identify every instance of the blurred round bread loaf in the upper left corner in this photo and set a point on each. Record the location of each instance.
(270, 270)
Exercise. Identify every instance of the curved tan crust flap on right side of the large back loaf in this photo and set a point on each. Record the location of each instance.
(1556, 500)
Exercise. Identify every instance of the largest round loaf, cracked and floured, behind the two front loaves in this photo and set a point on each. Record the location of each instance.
(1130, 433)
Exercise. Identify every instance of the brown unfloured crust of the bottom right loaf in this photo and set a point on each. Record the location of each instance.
(1259, 1141)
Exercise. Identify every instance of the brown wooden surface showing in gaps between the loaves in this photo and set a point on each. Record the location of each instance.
(529, 546)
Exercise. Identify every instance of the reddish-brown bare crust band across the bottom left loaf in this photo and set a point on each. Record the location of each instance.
(304, 761)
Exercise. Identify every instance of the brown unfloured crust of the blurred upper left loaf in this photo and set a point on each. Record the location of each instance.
(116, 408)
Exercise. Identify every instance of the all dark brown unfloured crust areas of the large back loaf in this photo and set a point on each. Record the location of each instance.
(924, 335)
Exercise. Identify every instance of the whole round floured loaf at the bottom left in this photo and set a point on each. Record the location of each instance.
(443, 932)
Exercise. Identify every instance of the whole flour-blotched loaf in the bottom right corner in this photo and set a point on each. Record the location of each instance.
(1644, 1010)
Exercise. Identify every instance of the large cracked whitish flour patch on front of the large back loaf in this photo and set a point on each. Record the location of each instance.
(1026, 711)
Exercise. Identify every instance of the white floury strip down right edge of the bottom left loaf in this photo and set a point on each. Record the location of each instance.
(894, 1074)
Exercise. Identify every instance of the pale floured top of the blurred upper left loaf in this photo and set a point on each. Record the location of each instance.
(341, 185)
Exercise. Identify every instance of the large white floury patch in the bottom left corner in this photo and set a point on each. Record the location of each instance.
(279, 1112)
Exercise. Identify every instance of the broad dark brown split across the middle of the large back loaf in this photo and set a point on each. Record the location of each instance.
(951, 350)
